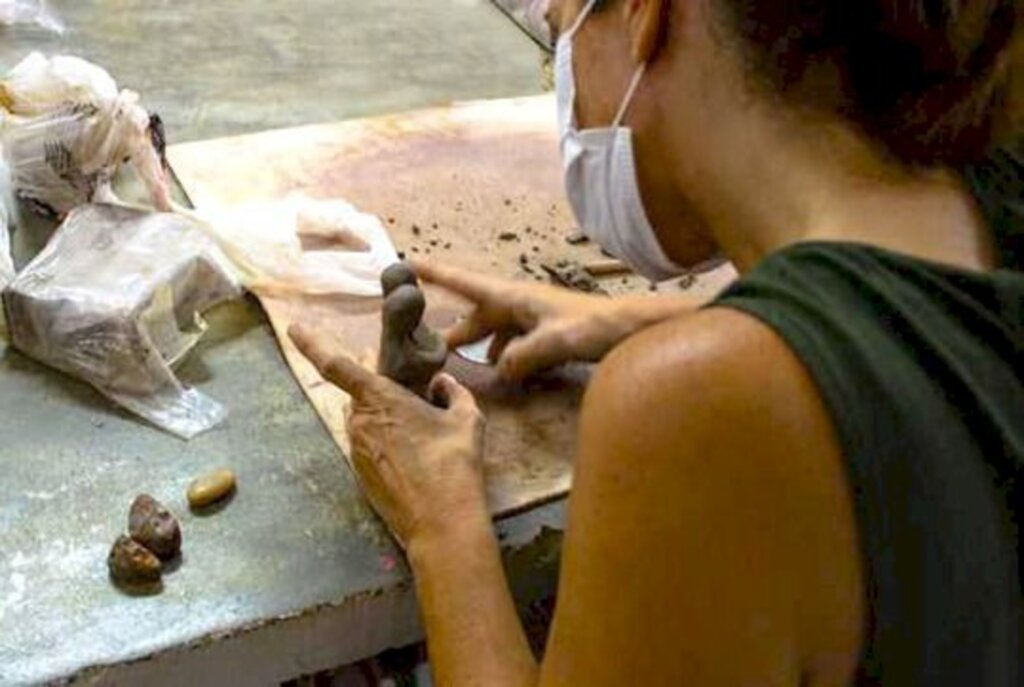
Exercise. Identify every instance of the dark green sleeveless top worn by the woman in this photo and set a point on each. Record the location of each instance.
(922, 369)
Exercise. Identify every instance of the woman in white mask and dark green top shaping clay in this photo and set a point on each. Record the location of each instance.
(812, 481)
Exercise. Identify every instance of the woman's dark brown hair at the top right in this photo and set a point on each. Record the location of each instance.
(937, 82)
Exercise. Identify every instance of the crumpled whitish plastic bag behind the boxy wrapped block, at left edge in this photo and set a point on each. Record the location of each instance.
(70, 131)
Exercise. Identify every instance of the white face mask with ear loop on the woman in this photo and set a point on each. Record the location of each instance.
(601, 175)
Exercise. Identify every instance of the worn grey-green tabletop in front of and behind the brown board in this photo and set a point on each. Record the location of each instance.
(294, 576)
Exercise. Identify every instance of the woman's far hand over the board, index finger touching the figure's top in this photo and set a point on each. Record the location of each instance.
(536, 326)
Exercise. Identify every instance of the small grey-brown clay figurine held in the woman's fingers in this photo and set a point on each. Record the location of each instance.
(411, 353)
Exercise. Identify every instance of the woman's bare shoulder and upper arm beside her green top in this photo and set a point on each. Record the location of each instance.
(703, 440)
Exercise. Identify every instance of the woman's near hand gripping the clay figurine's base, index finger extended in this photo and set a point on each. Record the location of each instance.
(421, 466)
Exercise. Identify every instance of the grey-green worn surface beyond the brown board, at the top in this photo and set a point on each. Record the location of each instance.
(229, 67)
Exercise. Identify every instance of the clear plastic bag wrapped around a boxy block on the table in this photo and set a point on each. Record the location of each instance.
(115, 299)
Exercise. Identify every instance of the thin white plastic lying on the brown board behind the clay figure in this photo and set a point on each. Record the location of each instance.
(301, 245)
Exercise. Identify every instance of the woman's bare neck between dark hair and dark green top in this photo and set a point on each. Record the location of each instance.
(777, 184)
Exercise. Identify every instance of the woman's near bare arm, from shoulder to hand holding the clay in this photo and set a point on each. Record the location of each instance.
(711, 537)
